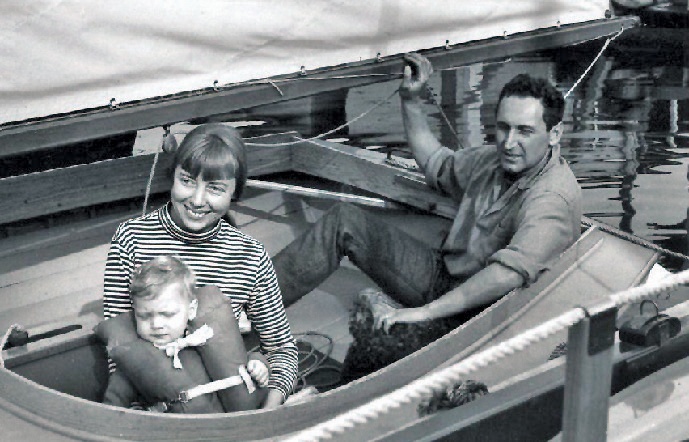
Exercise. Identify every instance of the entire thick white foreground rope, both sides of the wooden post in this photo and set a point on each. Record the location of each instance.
(425, 387)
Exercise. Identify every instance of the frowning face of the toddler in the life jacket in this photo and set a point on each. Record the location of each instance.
(163, 318)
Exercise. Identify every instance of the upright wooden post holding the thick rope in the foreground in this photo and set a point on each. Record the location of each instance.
(588, 377)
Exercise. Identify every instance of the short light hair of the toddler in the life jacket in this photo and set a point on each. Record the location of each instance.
(150, 277)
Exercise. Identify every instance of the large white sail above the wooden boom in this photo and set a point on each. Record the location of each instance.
(61, 56)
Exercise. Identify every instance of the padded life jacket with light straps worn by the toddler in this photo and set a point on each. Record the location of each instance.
(152, 373)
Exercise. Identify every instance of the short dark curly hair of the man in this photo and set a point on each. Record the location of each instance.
(524, 85)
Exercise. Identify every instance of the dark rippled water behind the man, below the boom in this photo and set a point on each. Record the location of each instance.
(626, 124)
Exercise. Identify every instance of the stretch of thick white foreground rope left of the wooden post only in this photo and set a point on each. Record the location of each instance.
(425, 387)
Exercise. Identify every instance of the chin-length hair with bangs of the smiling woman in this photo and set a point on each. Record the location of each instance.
(216, 152)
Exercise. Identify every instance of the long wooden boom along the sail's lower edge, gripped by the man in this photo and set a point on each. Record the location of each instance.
(104, 122)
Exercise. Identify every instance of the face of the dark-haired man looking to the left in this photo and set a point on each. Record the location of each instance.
(521, 134)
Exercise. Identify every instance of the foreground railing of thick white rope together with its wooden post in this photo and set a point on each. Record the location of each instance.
(588, 372)
